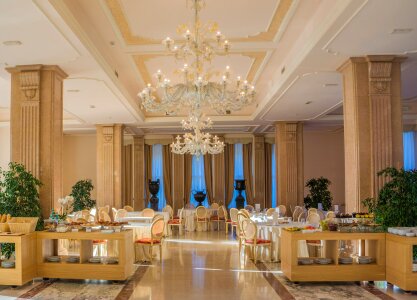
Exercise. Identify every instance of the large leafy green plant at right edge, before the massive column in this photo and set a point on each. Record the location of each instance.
(396, 204)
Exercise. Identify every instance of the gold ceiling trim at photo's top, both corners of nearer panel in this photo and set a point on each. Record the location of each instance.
(120, 19)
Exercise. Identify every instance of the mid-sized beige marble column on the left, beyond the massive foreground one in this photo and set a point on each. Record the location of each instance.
(109, 165)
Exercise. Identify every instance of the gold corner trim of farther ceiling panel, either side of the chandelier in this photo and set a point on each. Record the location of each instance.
(257, 56)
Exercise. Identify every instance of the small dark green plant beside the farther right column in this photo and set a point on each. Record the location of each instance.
(318, 193)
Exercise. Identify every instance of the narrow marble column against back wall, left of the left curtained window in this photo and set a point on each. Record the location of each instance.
(138, 172)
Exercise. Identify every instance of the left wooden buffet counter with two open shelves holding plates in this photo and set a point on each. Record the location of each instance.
(47, 245)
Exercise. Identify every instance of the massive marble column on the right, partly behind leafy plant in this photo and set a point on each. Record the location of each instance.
(372, 124)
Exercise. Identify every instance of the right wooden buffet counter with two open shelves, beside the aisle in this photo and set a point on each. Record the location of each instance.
(372, 244)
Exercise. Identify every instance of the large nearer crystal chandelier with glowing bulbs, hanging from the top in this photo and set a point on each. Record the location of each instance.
(201, 42)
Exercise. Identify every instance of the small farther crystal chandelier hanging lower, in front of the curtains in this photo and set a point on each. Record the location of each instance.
(197, 143)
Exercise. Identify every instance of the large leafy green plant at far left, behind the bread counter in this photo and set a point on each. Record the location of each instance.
(19, 197)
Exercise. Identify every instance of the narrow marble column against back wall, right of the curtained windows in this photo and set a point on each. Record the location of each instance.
(259, 170)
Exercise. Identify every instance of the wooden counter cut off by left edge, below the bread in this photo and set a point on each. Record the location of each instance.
(25, 262)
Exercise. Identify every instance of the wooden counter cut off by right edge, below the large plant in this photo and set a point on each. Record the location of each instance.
(400, 261)
